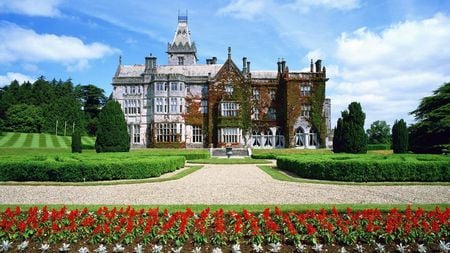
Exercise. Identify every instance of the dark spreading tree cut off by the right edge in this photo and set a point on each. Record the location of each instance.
(431, 133)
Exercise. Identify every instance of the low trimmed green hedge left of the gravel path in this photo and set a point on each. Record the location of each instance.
(86, 168)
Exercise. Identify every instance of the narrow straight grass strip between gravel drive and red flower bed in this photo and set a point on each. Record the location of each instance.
(249, 207)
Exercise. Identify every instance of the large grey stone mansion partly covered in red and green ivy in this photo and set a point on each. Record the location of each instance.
(192, 105)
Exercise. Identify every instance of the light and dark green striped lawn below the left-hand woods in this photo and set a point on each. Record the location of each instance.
(43, 141)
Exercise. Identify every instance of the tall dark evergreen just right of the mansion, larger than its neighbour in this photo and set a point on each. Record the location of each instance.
(350, 136)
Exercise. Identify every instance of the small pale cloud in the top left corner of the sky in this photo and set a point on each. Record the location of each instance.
(46, 8)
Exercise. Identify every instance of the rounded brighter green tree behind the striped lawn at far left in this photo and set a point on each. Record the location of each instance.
(24, 118)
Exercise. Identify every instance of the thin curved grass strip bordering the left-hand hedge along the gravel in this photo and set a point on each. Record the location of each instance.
(179, 174)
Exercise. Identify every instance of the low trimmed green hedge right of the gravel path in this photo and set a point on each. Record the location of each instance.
(359, 169)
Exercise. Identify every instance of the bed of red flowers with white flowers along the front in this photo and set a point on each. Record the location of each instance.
(130, 230)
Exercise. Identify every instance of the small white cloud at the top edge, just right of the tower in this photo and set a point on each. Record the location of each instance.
(244, 9)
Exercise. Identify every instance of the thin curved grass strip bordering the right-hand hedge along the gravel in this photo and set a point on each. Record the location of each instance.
(281, 175)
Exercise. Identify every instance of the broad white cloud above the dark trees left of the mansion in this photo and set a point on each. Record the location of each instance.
(20, 44)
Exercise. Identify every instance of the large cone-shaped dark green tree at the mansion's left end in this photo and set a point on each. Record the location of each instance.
(112, 133)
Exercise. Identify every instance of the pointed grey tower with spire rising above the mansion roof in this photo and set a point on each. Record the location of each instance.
(182, 50)
